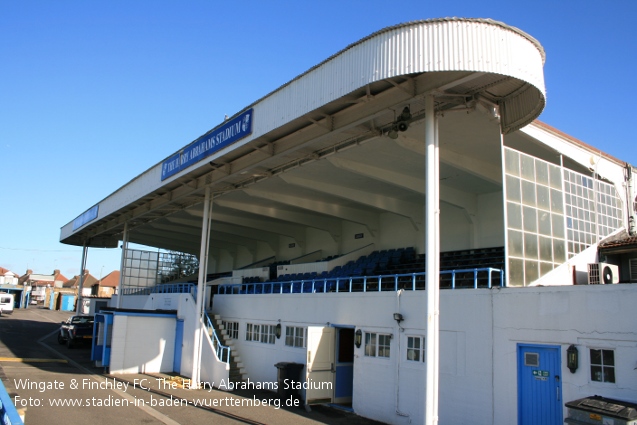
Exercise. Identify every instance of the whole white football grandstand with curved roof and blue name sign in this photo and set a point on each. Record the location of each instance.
(326, 216)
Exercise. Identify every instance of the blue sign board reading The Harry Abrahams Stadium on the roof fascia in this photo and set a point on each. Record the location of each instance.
(231, 131)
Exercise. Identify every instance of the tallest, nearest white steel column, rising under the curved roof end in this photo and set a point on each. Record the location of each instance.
(432, 263)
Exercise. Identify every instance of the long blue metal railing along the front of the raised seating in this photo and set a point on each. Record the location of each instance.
(475, 277)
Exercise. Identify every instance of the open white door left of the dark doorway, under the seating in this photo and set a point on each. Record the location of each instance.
(320, 365)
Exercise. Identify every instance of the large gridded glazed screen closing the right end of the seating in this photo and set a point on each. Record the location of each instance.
(551, 215)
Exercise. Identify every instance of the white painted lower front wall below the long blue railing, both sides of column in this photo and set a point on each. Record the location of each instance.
(480, 330)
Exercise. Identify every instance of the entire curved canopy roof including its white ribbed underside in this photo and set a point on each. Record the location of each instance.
(292, 168)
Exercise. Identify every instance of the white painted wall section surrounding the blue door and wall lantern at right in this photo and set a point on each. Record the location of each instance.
(596, 316)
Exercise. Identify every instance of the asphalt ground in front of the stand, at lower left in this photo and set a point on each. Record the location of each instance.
(57, 385)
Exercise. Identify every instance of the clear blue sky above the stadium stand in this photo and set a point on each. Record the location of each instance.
(92, 93)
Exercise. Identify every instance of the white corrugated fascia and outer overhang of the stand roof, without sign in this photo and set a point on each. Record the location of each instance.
(351, 94)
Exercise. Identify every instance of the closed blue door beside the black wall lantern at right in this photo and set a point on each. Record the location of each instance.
(539, 385)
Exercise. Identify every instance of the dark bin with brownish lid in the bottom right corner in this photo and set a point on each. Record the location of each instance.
(597, 410)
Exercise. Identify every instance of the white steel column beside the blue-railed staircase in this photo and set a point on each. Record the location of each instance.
(201, 285)
